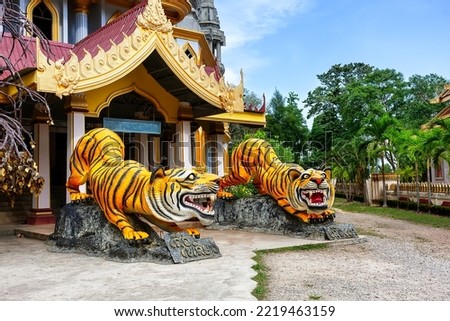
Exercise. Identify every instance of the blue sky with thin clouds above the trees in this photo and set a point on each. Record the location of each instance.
(285, 44)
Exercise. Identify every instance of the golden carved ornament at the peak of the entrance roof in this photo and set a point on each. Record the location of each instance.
(154, 18)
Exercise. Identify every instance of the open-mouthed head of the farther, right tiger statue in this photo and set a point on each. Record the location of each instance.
(311, 190)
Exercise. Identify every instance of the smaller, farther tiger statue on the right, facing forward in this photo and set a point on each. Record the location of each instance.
(307, 194)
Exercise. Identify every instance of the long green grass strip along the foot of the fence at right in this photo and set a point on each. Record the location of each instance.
(395, 213)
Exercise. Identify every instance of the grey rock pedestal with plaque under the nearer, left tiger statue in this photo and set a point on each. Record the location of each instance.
(83, 228)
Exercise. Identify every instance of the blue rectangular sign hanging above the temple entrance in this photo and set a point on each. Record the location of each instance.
(133, 126)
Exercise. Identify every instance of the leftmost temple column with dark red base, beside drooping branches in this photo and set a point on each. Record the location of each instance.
(41, 212)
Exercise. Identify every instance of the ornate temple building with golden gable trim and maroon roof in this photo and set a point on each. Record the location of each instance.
(150, 70)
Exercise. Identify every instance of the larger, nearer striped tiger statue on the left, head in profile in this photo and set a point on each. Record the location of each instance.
(120, 187)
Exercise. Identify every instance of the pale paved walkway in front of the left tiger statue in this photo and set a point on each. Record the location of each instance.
(30, 272)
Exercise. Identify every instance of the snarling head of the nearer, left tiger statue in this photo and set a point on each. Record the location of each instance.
(179, 194)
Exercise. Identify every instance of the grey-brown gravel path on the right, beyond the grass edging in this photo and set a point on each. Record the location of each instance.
(400, 261)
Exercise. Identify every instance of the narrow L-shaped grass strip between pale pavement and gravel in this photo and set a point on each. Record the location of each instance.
(261, 269)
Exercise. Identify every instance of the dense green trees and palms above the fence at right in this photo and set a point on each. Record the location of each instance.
(364, 118)
